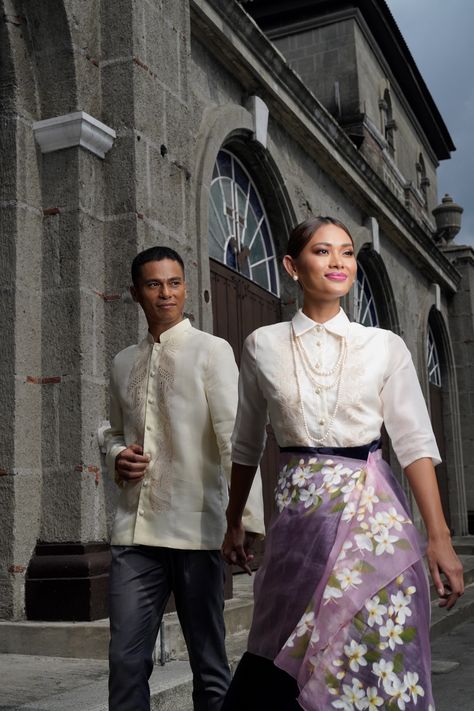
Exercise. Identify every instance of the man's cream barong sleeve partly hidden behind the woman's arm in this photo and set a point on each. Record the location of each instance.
(221, 390)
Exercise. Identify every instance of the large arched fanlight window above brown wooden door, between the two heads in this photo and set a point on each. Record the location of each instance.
(239, 232)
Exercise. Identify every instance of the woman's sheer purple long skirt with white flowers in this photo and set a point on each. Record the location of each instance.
(342, 597)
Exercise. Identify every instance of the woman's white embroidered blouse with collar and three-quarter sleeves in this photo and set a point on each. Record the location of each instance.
(288, 371)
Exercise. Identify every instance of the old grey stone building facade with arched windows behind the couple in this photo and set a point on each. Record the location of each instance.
(126, 124)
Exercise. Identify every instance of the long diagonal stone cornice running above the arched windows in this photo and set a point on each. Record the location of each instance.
(236, 40)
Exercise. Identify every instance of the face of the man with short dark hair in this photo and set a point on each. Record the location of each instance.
(161, 293)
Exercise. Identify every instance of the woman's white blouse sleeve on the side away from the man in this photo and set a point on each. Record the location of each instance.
(404, 408)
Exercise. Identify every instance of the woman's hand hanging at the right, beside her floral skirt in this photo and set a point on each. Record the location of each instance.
(443, 559)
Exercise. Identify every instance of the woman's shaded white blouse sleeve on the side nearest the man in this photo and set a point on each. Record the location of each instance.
(249, 435)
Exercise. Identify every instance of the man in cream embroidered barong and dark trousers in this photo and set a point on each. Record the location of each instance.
(173, 399)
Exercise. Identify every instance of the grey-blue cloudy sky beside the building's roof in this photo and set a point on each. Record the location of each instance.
(440, 37)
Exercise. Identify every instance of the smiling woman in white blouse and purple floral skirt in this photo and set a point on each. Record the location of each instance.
(341, 617)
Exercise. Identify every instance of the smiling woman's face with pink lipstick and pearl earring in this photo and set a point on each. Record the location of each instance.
(326, 267)
